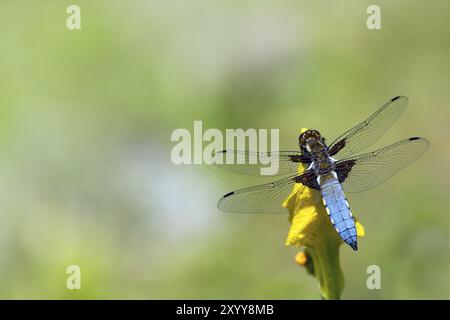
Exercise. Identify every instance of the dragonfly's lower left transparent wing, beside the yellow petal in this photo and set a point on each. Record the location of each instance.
(265, 198)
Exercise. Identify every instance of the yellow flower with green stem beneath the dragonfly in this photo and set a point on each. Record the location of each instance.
(311, 228)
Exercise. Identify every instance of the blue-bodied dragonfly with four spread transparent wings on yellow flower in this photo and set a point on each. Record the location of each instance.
(331, 169)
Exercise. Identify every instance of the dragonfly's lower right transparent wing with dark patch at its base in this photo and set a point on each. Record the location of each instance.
(364, 172)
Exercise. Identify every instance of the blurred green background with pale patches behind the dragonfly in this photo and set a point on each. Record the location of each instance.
(85, 124)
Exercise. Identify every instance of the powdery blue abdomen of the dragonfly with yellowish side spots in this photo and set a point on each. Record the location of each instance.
(338, 209)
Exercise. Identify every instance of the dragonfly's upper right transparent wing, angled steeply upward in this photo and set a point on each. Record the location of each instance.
(369, 131)
